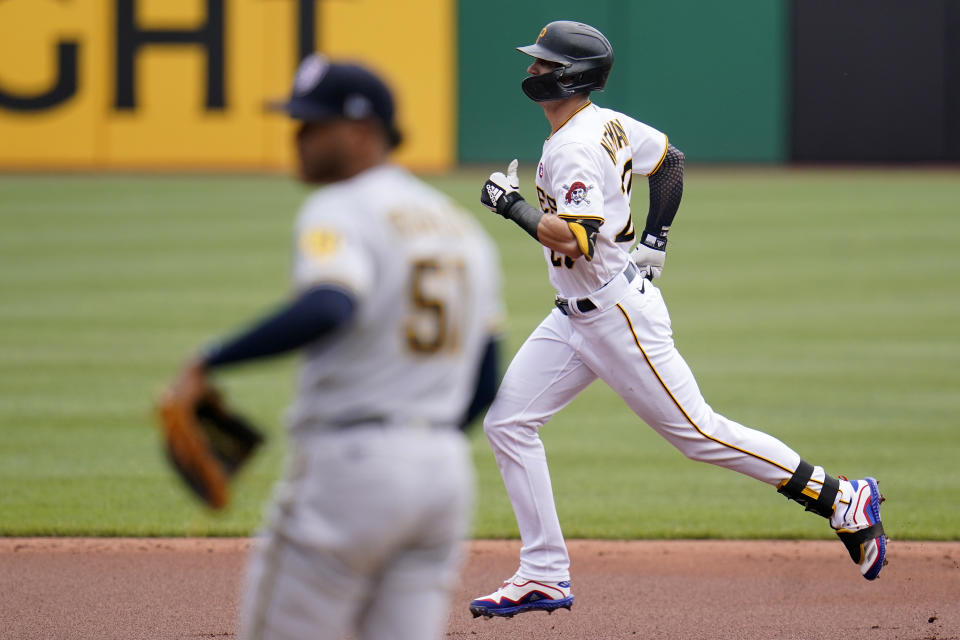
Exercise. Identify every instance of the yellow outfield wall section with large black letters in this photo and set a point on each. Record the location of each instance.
(181, 84)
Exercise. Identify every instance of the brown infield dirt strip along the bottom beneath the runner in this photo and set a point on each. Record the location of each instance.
(101, 589)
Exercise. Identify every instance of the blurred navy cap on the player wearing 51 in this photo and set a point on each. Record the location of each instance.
(324, 90)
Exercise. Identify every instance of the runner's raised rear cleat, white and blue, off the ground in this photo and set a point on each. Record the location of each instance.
(856, 520)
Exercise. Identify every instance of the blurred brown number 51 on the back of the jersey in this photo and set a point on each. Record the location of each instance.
(437, 292)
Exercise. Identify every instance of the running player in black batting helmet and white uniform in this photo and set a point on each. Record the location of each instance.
(610, 322)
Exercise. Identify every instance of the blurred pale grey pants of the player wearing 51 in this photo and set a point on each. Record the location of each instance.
(364, 538)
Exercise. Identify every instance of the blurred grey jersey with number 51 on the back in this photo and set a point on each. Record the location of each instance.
(425, 278)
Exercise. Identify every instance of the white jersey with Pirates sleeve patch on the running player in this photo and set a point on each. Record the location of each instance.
(586, 171)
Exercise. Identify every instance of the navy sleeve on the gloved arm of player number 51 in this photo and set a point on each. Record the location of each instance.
(312, 315)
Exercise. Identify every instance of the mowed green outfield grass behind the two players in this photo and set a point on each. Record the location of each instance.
(820, 306)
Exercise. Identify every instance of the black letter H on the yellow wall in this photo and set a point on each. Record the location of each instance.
(131, 38)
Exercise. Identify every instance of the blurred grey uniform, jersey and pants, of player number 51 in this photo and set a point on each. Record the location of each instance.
(365, 526)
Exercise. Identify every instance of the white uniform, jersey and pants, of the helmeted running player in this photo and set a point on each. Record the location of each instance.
(622, 336)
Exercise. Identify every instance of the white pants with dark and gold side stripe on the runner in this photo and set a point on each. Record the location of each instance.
(629, 345)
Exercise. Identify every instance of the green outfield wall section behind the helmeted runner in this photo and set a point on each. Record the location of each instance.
(712, 76)
